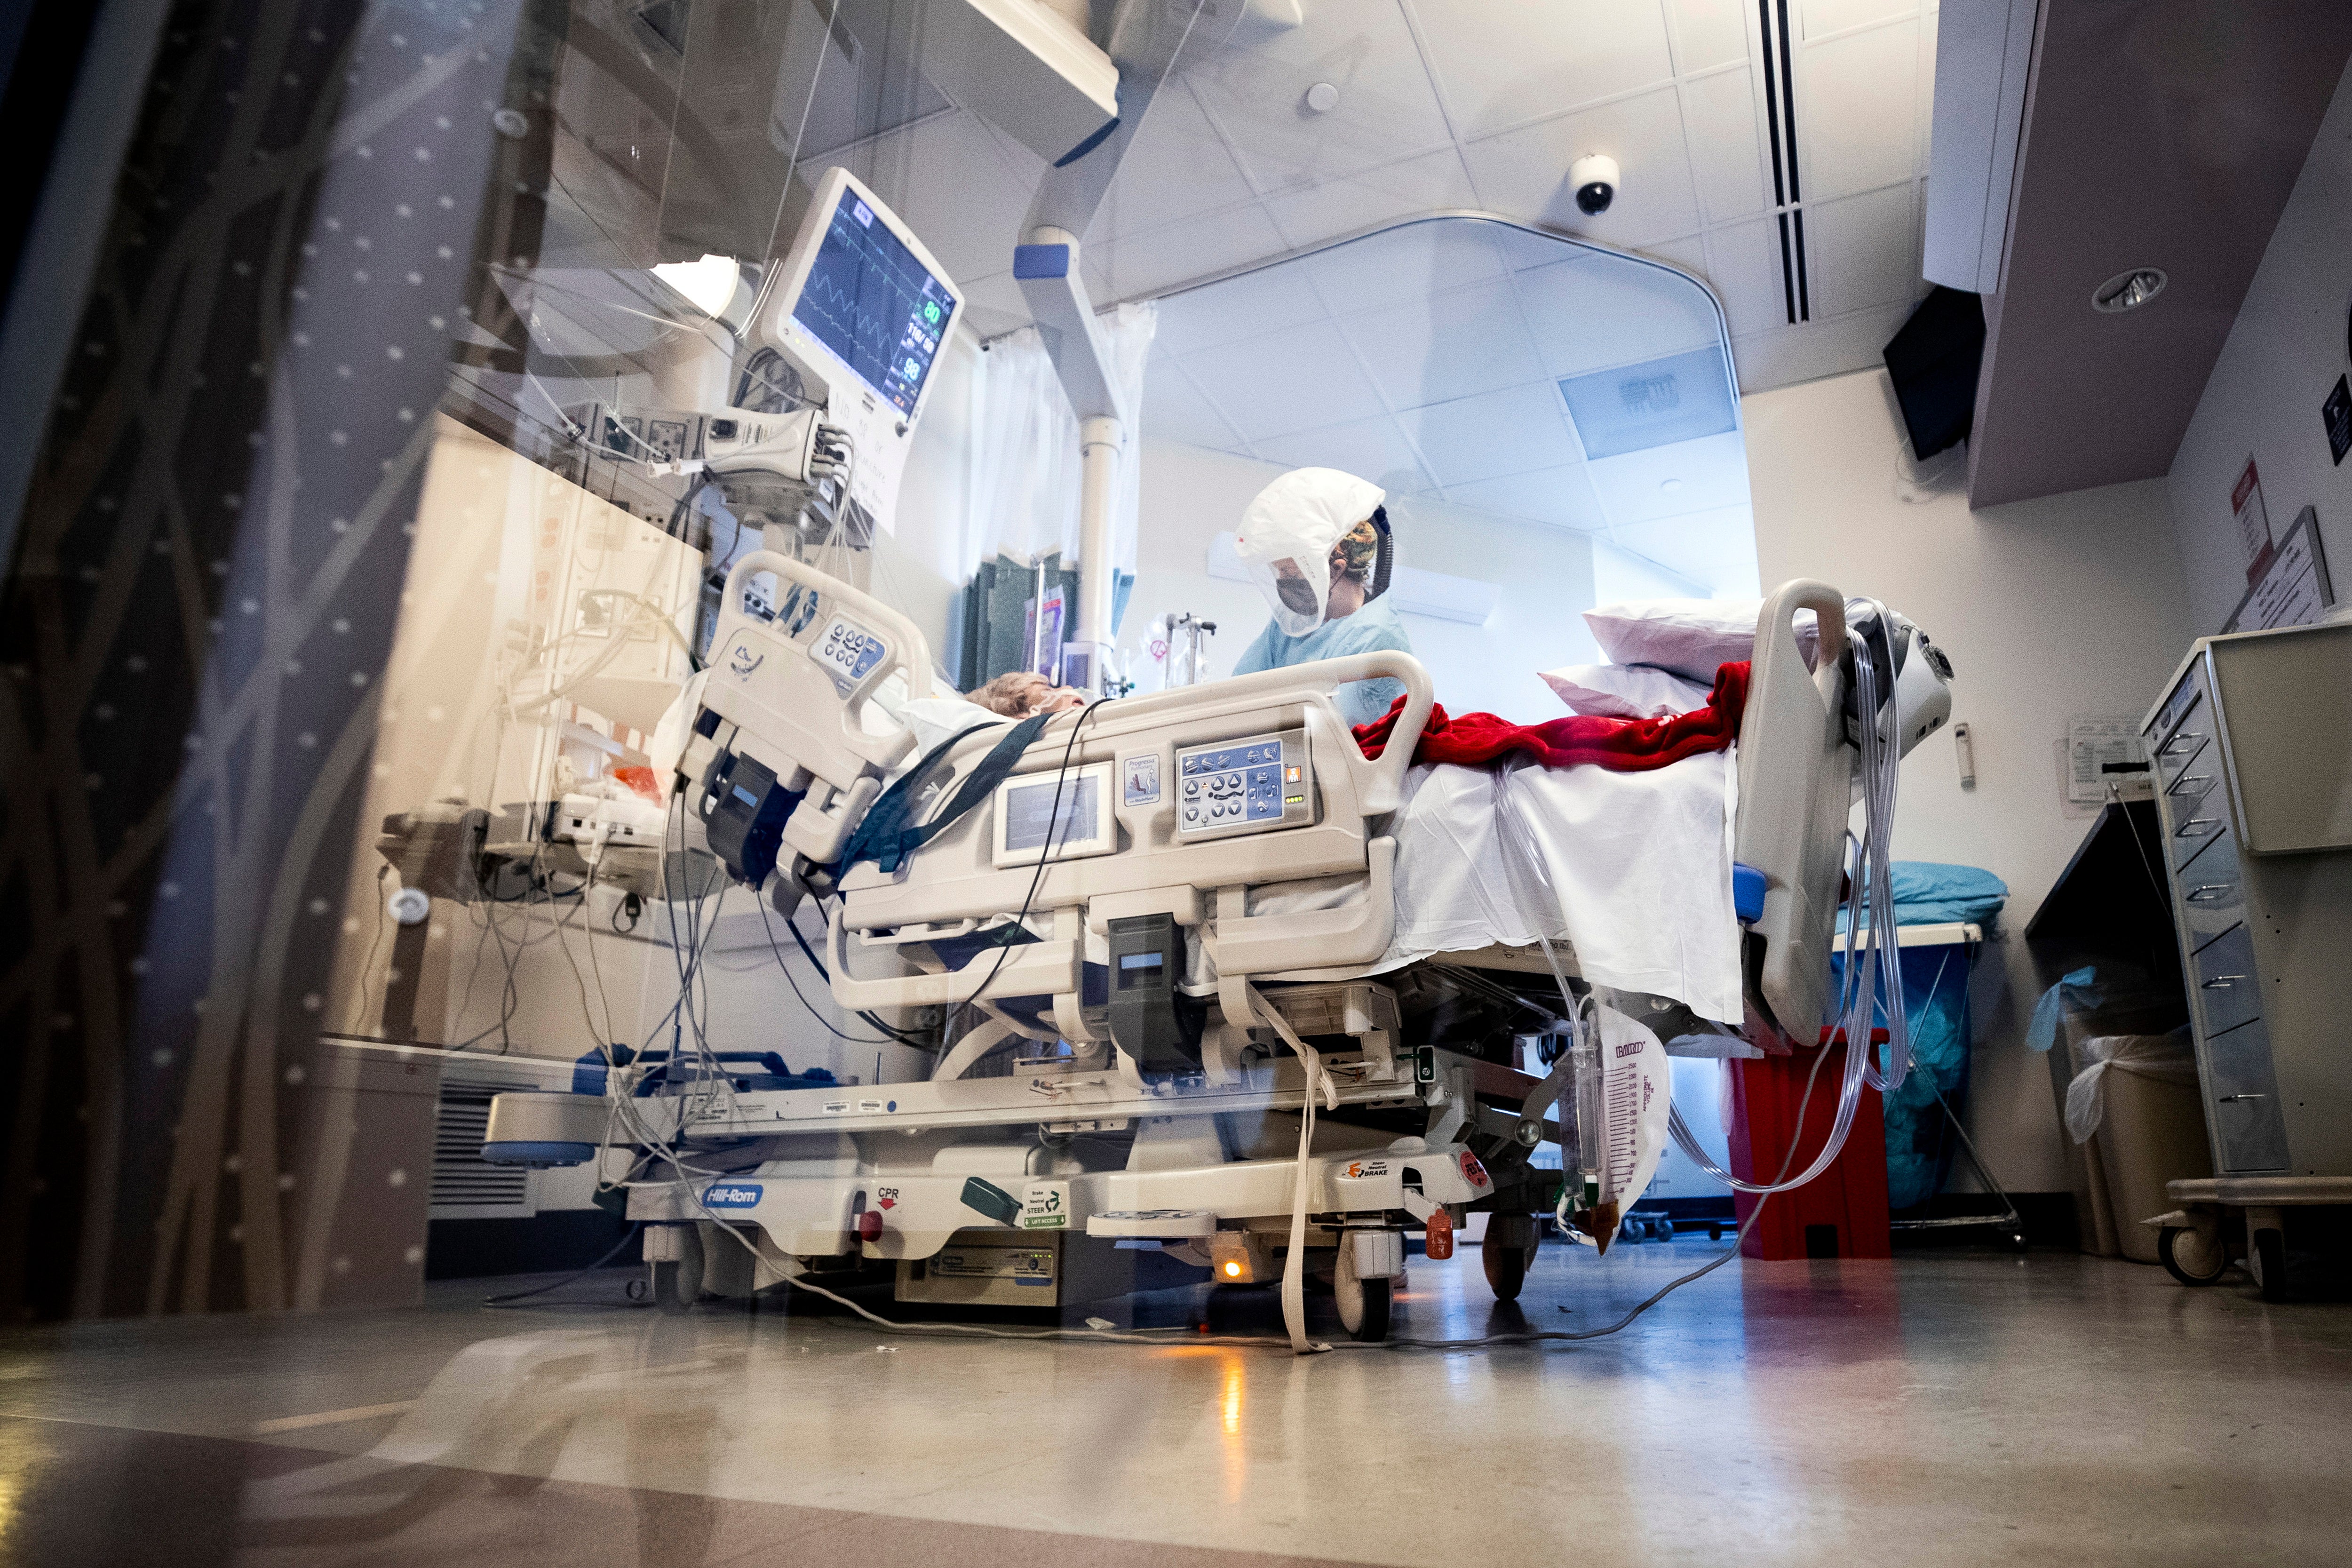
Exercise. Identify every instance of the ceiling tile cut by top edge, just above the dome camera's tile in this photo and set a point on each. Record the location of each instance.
(1509, 65)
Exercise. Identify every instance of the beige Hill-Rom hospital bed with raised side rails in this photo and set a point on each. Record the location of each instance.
(1182, 1031)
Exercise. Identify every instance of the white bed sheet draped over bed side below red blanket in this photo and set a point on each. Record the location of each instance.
(1641, 862)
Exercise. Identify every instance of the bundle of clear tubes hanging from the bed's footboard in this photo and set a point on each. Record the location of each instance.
(1871, 981)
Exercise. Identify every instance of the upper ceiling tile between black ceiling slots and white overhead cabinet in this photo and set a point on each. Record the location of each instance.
(1859, 112)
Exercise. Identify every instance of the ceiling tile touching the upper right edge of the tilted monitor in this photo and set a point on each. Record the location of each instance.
(954, 187)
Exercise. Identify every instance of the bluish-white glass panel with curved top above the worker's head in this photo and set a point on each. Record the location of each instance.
(1481, 368)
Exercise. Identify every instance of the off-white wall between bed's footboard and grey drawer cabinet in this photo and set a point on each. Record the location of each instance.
(2050, 610)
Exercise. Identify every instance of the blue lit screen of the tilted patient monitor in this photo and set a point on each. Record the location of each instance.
(874, 304)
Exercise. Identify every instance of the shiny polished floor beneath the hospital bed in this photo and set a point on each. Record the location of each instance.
(1937, 1409)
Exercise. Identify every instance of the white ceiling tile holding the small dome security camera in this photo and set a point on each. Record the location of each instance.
(1528, 173)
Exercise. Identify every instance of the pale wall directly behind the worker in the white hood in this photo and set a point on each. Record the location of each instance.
(1544, 577)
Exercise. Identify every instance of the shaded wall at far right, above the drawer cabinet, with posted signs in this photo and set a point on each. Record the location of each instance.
(2266, 389)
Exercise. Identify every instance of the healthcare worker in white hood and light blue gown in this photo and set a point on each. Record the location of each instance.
(1316, 544)
